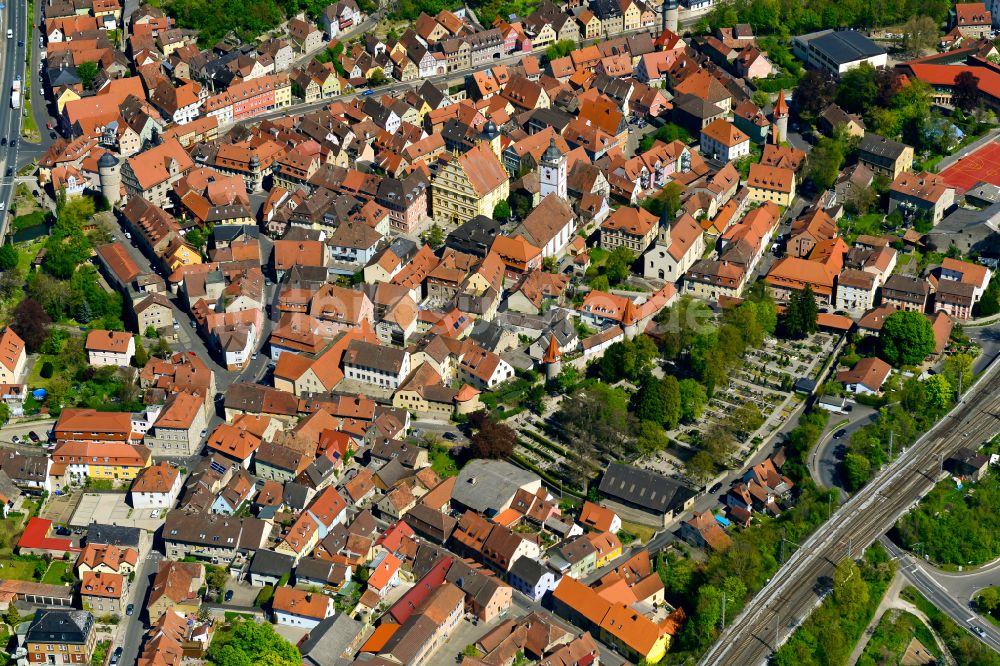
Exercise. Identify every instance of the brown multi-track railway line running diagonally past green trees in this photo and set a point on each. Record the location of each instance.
(797, 588)
